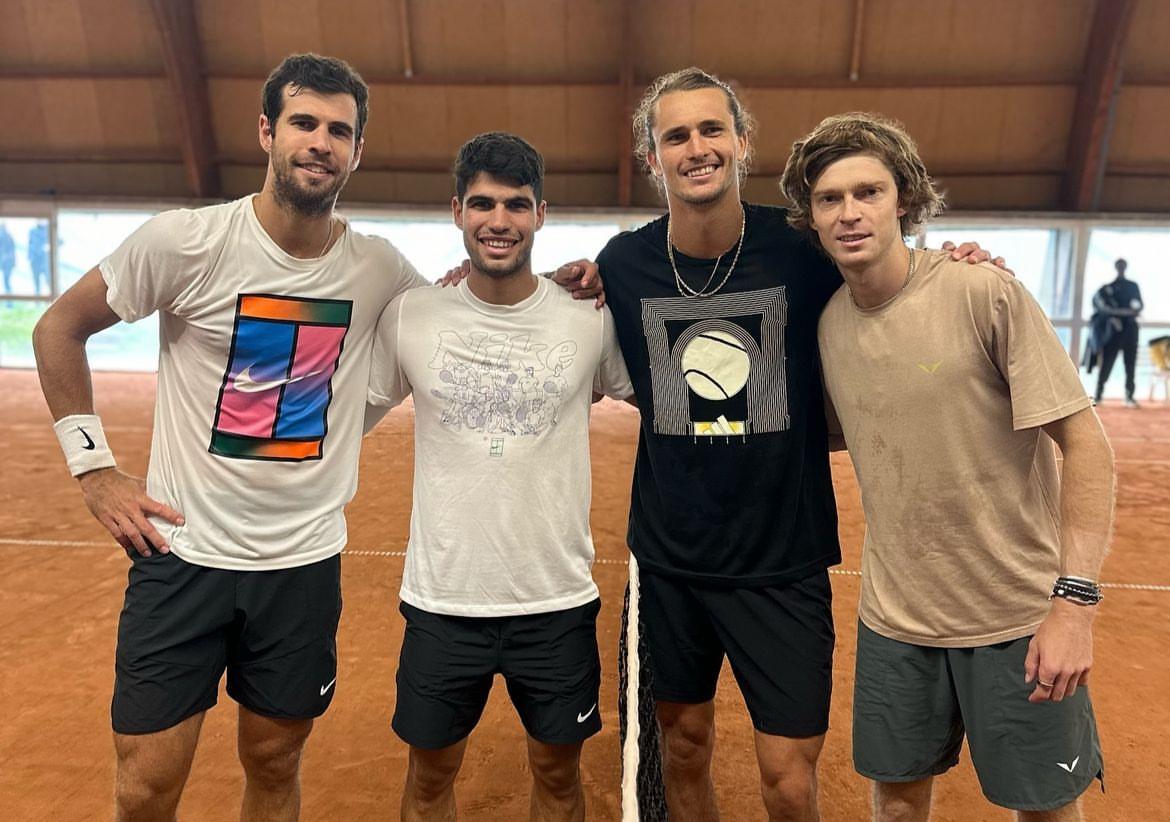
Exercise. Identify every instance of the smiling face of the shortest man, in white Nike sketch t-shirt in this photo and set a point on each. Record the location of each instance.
(500, 222)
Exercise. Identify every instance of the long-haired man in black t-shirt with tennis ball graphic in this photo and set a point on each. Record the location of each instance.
(733, 519)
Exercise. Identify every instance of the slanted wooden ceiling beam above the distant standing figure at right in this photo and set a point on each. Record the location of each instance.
(1093, 118)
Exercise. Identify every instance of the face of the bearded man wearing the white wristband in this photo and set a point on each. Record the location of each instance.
(312, 149)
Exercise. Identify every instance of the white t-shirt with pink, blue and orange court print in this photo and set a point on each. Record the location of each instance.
(264, 360)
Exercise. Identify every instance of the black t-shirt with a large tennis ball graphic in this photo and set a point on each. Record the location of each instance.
(732, 485)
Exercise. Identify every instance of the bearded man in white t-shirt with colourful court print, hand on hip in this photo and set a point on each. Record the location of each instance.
(267, 309)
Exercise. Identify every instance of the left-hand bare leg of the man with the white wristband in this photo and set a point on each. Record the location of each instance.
(153, 770)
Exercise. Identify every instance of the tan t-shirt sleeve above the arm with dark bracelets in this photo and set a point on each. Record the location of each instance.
(1043, 382)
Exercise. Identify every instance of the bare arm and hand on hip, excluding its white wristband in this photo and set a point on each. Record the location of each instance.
(116, 500)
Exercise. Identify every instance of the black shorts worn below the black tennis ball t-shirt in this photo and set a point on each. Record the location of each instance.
(779, 640)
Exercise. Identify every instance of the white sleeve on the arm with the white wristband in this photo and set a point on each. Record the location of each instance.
(154, 266)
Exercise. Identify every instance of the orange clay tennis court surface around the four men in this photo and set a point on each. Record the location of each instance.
(61, 584)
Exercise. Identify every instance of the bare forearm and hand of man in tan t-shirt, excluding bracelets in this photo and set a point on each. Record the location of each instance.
(1062, 652)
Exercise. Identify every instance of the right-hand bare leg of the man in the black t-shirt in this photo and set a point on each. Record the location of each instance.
(788, 776)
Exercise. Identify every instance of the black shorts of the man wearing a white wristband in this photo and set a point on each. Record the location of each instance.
(183, 625)
